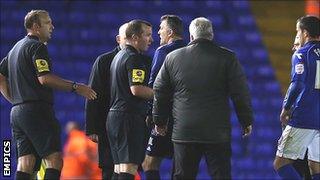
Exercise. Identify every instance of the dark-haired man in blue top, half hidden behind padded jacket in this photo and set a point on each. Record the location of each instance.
(159, 147)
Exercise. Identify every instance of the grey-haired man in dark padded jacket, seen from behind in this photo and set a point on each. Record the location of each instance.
(201, 78)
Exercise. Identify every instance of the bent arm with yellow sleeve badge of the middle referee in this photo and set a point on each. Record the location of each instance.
(137, 75)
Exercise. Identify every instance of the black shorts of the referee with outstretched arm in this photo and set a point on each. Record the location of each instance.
(35, 129)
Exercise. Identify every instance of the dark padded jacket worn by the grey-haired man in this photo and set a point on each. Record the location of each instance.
(201, 78)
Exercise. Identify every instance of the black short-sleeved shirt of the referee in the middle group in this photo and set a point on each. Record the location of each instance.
(128, 68)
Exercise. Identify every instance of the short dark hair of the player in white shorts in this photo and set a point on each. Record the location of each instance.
(310, 24)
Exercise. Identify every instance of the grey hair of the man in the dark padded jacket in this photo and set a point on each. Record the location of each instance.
(201, 28)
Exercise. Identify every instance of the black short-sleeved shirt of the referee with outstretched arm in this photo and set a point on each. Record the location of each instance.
(26, 61)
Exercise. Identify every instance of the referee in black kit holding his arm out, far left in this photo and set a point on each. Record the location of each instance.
(27, 82)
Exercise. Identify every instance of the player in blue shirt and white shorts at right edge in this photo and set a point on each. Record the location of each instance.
(300, 111)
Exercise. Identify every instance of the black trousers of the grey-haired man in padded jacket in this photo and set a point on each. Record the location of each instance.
(187, 157)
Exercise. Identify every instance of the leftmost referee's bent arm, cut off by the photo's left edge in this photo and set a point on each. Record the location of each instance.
(4, 87)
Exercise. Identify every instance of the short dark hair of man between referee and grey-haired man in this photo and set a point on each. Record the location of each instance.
(174, 22)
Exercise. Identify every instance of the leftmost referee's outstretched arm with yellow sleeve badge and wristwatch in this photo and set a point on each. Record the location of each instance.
(42, 65)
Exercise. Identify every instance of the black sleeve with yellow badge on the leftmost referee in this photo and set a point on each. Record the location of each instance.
(41, 60)
